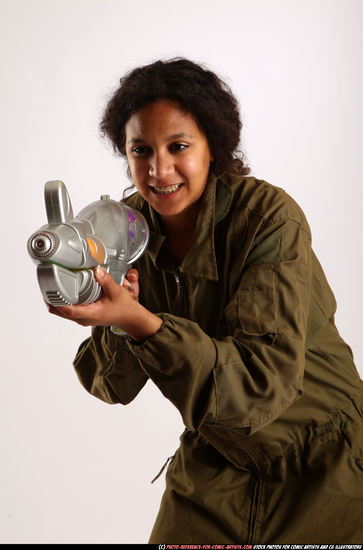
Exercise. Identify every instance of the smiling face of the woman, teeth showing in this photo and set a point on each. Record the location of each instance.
(168, 157)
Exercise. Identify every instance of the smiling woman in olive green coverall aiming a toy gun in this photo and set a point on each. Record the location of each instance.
(234, 323)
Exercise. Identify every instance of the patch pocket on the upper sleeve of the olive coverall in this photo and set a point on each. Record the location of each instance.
(253, 308)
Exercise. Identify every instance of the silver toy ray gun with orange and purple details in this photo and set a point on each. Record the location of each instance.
(68, 248)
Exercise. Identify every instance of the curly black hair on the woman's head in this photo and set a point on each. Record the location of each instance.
(197, 91)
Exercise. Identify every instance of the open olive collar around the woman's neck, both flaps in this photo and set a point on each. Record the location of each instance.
(200, 261)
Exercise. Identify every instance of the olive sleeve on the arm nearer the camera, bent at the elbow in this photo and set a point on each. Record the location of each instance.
(250, 377)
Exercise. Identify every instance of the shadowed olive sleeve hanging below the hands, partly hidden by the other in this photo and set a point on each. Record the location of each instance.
(108, 370)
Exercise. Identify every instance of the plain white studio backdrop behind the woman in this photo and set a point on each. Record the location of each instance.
(74, 469)
